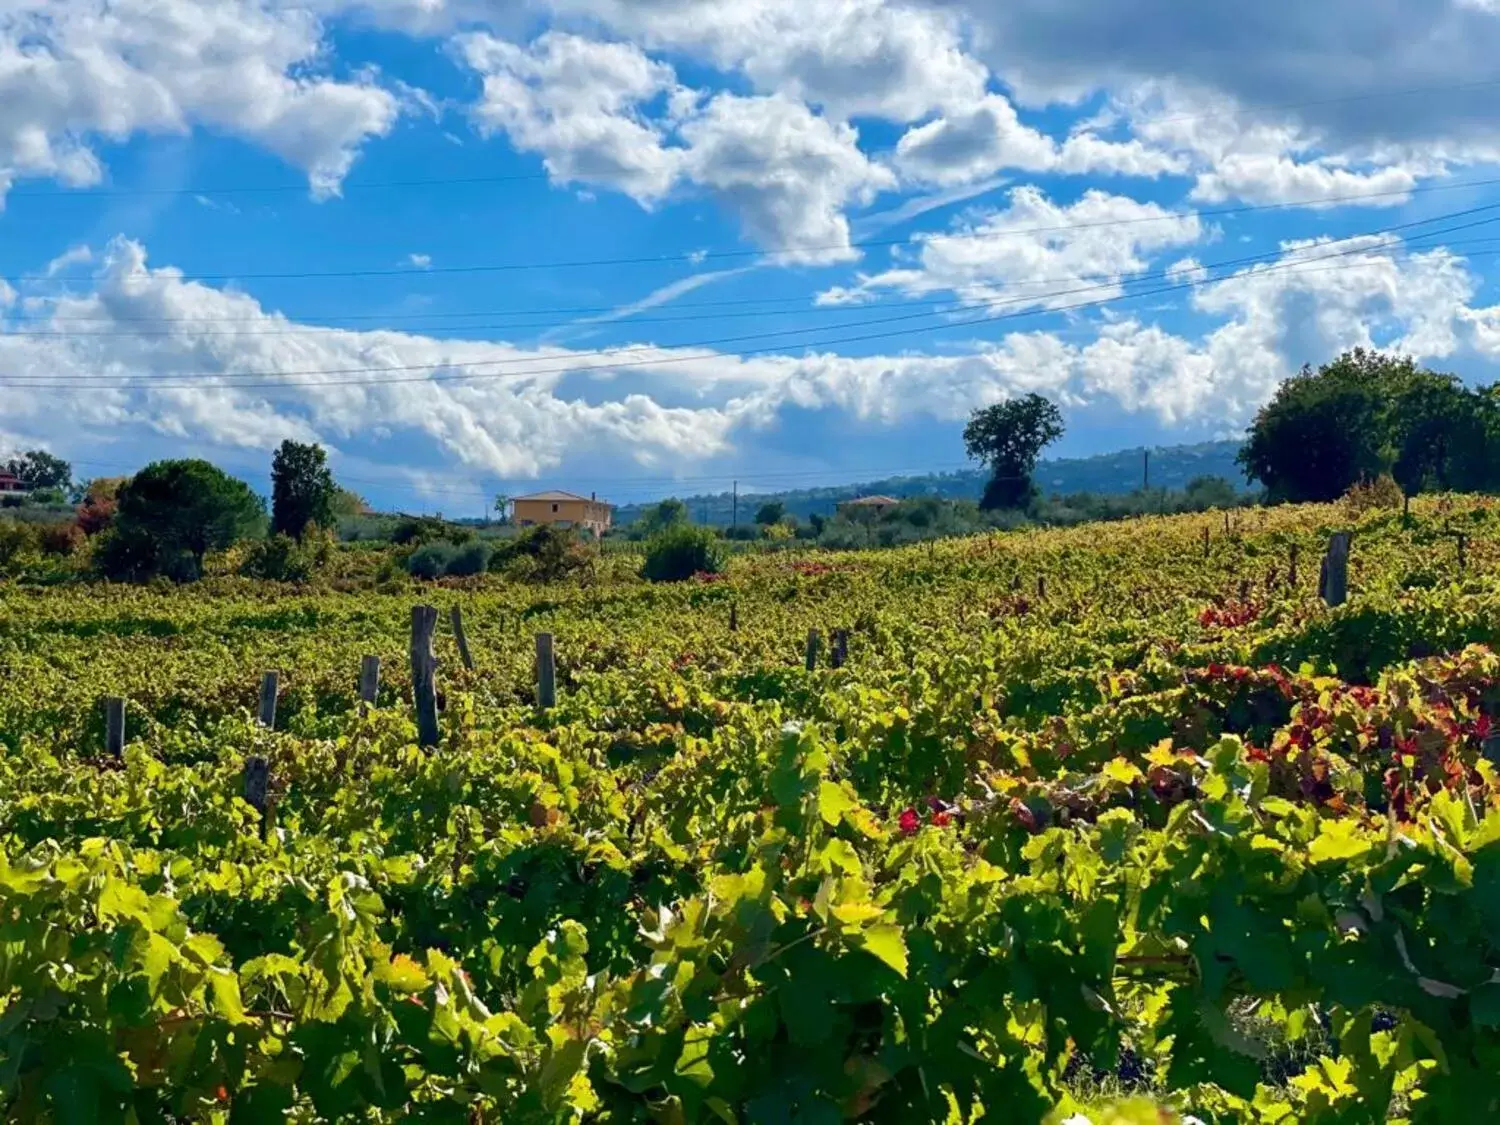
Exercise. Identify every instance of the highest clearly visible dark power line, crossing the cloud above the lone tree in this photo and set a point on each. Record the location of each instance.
(773, 253)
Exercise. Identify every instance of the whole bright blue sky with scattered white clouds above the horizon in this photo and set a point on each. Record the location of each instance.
(653, 247)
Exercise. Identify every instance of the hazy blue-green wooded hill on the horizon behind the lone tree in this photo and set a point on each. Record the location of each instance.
(1114, 473)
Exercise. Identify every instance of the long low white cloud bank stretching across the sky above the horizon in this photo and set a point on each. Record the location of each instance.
(233, 376)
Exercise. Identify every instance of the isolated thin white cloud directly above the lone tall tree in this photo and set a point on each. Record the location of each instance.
(1039, 253)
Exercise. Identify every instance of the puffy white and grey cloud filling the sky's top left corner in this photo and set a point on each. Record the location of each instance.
(77, 70)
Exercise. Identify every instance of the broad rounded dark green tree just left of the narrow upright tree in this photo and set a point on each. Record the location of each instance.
(173, 514)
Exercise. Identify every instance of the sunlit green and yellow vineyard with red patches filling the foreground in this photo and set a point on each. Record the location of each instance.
(1117, 824)
